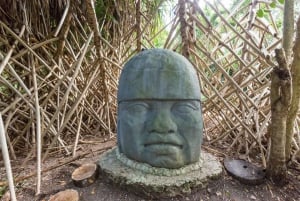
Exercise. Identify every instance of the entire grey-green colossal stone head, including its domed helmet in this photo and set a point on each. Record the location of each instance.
(159, 113)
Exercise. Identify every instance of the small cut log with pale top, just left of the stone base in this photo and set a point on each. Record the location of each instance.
(85, 175)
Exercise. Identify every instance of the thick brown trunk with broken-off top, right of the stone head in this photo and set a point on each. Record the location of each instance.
(280, 100)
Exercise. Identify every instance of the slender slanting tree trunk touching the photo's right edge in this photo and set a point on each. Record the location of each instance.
(295, 71)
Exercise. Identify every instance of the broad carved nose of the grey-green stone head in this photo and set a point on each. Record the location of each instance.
(162, 122)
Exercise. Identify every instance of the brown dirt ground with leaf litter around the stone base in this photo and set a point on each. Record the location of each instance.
(58, 179)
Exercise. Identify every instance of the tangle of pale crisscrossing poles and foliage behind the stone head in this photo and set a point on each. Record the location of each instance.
(61, 59)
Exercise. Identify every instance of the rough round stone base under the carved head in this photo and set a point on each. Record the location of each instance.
(158, 186)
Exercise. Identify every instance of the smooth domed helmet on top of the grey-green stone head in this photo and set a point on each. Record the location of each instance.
(158, 74)
